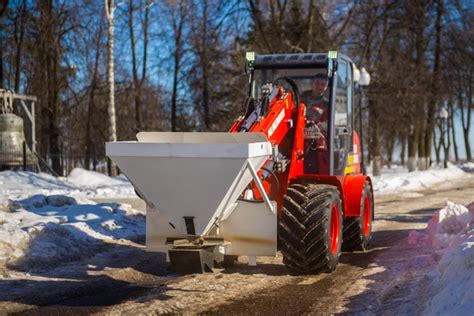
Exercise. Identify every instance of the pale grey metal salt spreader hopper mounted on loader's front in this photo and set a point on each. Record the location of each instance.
(192, 183)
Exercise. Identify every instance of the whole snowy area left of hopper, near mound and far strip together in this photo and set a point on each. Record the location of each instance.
(45, 221)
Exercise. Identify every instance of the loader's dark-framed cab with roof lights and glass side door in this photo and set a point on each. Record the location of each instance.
(326, 155)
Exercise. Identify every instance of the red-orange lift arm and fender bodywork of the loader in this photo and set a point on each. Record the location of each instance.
(284, 126)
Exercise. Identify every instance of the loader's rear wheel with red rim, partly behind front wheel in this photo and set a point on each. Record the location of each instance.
(357, 234)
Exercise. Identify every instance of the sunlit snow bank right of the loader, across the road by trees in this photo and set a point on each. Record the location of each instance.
(399, 180)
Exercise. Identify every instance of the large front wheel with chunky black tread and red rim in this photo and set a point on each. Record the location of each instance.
(304, 229)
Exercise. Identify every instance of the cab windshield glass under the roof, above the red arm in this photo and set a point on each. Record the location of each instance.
(304, 78)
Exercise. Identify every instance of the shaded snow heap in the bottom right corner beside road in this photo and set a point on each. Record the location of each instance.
(450, 233)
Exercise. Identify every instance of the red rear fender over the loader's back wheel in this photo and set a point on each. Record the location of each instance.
(352, 187)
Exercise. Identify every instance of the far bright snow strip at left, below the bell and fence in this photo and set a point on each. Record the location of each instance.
(80, 183)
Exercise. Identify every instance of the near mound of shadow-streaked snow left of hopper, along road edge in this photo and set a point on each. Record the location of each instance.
(47, 230)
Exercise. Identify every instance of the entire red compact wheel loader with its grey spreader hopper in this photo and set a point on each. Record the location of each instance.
(287, 176)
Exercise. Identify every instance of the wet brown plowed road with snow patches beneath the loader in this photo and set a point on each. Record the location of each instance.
(391, 277)
